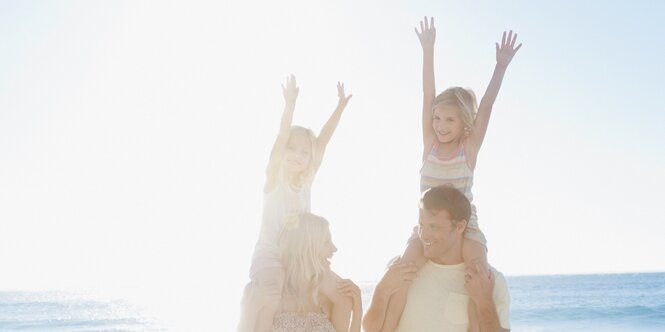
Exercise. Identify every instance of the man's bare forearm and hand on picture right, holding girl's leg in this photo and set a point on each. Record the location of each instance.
(480, 285)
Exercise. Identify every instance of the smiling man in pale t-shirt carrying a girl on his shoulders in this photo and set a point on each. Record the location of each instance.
(438, 295)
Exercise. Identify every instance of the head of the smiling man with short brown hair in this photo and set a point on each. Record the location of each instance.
(444, 213)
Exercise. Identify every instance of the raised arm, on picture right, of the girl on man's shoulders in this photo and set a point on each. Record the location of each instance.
(504, 54)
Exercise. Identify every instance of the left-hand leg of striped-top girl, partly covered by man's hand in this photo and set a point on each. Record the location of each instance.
(413, 253)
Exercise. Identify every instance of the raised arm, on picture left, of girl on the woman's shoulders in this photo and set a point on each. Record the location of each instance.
(290, 92)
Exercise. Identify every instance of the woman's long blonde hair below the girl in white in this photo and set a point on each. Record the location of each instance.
(301, 243)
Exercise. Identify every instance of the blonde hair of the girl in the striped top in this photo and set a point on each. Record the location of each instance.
(461, 99)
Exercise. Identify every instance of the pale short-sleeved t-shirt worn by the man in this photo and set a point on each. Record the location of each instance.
(438, 301)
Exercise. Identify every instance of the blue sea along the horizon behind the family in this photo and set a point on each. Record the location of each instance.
(603, 302)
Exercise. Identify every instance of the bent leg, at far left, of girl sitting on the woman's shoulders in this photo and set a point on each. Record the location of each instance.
(261, 300)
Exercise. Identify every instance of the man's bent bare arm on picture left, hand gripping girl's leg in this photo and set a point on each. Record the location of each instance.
(399, 275)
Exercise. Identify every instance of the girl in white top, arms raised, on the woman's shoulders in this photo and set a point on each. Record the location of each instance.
(295, 158)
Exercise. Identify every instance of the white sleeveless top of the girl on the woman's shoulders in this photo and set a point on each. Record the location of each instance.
(282, 200)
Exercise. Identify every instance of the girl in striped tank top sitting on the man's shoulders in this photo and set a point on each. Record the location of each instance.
(452, 135)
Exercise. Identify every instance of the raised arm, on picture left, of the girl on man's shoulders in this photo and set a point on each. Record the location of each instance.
(427, 36)
